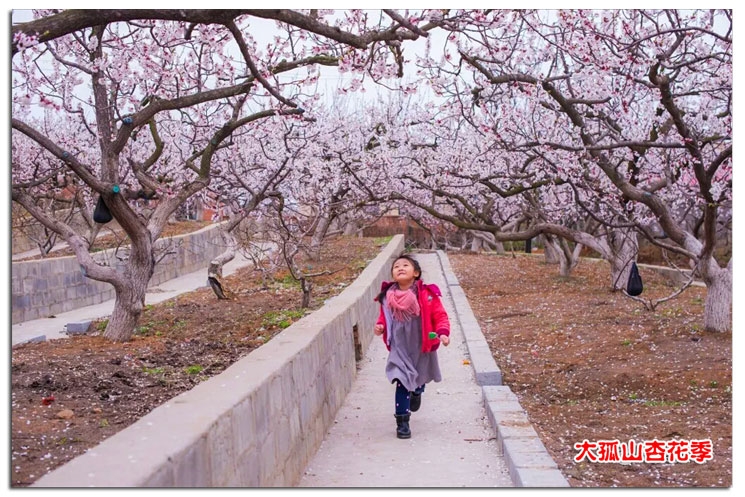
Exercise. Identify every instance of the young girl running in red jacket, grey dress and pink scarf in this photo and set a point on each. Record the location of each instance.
(413, 323)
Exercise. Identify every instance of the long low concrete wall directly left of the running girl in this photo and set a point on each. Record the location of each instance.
(258, 423)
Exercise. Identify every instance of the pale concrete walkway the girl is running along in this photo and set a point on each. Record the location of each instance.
(452, 442)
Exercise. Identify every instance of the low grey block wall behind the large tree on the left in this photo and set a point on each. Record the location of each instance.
(45, 287)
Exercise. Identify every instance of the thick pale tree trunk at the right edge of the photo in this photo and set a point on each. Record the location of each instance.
(718, 310)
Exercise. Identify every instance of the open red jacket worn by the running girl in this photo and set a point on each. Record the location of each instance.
(433, 315)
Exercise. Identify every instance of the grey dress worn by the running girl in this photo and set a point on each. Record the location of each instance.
(406, 361)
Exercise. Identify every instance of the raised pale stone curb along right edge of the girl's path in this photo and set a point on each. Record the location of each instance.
(528, 461)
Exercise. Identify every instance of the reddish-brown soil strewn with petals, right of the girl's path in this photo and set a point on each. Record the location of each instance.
(587, 363)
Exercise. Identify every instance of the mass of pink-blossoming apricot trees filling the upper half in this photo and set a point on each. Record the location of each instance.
(593, 127)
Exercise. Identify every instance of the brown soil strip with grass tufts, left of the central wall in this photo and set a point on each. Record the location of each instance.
(68, 395)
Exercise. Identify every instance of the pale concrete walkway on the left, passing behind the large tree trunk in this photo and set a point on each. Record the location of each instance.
(54, 328)
